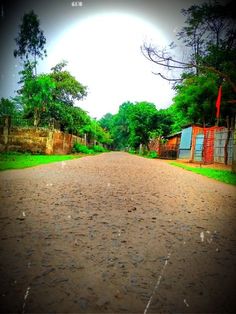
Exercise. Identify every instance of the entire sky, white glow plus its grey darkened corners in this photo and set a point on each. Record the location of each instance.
(101, 41)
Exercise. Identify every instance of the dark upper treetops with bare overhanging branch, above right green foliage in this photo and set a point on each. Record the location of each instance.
(210, 35)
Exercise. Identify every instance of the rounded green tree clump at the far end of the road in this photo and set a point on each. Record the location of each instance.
(136, 123)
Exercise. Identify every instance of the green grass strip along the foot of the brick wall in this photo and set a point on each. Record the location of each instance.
(20, 160)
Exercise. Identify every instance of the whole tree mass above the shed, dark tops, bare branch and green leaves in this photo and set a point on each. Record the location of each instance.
(209, 33)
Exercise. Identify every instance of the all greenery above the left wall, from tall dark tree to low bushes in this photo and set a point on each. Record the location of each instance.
(46, 99)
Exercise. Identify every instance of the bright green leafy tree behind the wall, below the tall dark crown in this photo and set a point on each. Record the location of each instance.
(51, 96)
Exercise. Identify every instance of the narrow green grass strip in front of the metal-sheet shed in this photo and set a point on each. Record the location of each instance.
(225, 176)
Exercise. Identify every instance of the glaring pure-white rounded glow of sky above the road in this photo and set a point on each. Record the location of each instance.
(103, 53)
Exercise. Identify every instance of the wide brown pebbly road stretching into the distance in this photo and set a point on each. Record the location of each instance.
(116, 233)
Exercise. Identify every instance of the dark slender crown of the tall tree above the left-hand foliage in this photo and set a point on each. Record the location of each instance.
(31, 40)
